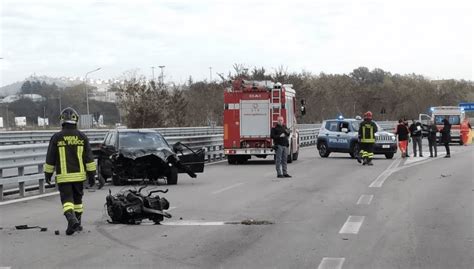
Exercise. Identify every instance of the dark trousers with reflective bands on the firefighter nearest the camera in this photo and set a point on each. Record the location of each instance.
(71, 196)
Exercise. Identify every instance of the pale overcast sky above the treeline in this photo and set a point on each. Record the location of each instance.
(69, 38)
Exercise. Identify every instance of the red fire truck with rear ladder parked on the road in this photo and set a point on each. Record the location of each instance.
(251, 109)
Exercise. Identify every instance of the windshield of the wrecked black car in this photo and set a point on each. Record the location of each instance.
(141, 140)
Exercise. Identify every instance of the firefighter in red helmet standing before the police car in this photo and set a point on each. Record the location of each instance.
(367, 132)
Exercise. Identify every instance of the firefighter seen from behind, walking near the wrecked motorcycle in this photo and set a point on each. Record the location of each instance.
(69, 153)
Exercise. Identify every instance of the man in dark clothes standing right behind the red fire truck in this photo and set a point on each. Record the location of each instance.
(280, 134)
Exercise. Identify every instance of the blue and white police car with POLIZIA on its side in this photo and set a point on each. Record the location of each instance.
(341, 135)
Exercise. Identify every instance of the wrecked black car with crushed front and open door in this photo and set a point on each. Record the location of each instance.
(144, 154)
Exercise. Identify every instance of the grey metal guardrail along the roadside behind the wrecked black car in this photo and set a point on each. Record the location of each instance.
(24, 163)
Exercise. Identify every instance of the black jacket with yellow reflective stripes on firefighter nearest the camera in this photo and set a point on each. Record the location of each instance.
(70, 154)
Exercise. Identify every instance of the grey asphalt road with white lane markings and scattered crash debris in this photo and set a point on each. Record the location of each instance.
(333, 213)
